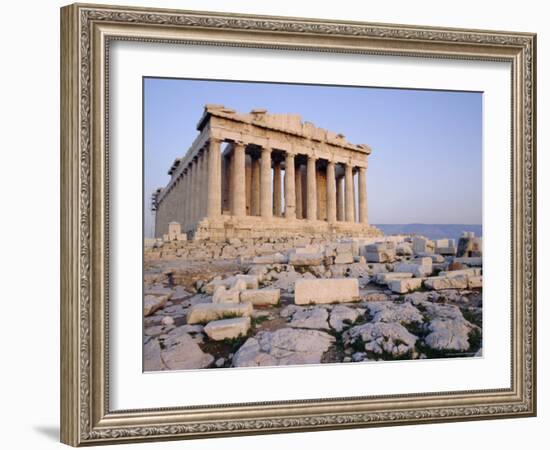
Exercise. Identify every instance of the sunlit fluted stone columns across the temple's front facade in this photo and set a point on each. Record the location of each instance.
(268, 200)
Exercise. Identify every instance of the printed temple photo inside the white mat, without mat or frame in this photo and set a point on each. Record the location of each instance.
(292, 224)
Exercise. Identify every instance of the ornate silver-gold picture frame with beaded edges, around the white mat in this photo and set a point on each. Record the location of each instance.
(86, 31)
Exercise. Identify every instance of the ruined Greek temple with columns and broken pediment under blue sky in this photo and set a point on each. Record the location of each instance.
(265, 175)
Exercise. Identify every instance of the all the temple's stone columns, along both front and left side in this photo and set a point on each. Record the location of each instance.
(198, 192)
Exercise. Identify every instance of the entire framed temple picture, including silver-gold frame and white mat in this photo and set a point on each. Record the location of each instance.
(281, 224)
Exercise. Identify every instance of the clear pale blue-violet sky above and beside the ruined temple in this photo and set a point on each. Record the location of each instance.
(426, 163)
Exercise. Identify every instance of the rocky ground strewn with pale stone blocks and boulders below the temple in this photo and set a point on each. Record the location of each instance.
(242, 304)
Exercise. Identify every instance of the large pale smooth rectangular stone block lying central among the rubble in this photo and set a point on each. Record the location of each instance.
(336, 290)
